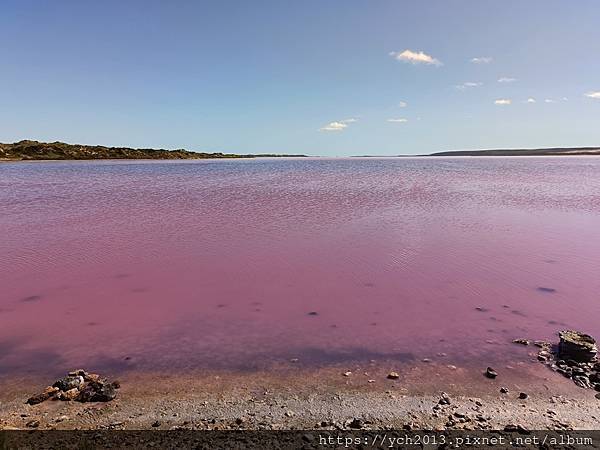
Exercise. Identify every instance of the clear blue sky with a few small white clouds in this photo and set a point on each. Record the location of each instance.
(320, 77)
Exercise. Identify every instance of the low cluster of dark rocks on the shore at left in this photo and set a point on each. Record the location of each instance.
(80, 386)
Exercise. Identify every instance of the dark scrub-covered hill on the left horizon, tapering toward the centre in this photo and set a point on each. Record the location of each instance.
(34, 150)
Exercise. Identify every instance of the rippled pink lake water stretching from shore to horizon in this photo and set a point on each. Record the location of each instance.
(216, 264)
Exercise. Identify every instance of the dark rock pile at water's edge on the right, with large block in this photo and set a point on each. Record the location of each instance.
(575, 357)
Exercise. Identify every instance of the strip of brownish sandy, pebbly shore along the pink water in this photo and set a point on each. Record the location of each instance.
(325, 398)
